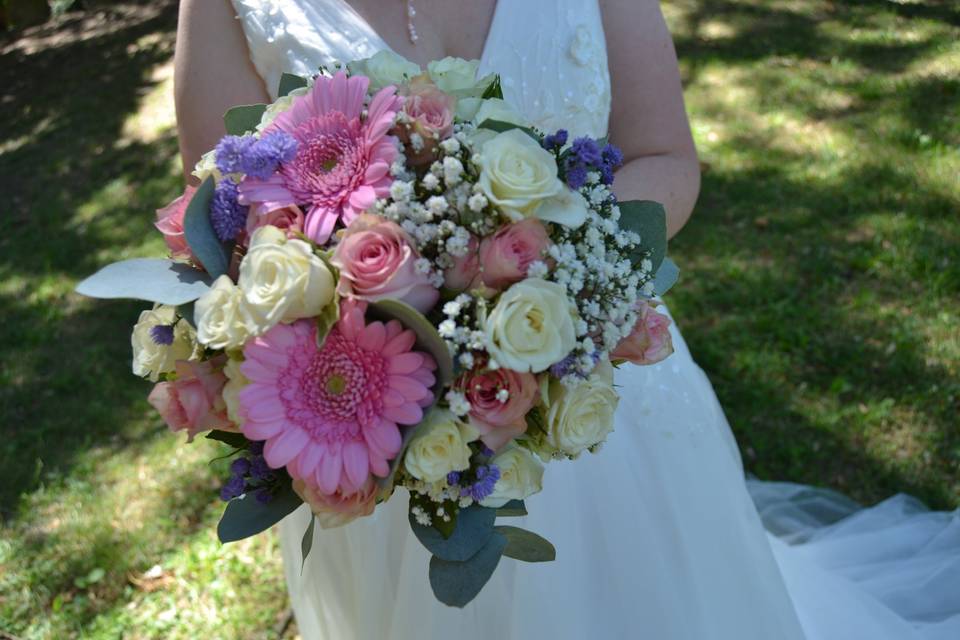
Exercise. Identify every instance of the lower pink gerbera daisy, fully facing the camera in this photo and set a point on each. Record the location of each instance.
(331, 413)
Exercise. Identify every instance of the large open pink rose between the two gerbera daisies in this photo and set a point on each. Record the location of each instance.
(377, 260)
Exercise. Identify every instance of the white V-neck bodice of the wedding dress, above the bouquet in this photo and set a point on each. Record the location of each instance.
(551, 54)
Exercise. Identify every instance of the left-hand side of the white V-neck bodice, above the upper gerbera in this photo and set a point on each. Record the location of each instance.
(298, 36)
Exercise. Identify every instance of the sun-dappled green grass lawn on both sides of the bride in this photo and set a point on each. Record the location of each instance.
(820, 291)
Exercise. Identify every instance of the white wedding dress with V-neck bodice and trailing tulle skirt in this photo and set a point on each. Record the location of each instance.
(657, 535)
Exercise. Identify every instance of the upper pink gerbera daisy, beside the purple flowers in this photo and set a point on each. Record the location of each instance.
(342, 164)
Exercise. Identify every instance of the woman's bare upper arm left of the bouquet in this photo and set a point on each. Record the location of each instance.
(213, 72)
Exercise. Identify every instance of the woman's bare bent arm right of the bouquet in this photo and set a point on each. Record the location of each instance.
(648, 120)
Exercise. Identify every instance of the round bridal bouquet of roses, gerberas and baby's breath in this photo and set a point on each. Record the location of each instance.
(387, 278)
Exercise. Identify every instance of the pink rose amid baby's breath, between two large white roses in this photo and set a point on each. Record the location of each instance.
(506, 255)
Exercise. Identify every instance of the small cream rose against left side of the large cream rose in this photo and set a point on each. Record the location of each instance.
(223, 320)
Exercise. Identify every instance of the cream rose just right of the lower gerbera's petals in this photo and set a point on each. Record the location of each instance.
(439, 447)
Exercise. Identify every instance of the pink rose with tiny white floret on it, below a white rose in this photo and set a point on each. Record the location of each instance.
(499, 402)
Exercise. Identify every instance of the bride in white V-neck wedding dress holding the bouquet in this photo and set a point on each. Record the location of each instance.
(658, 536)
